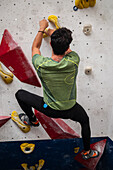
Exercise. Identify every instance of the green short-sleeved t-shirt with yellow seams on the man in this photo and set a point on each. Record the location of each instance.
(58, 80)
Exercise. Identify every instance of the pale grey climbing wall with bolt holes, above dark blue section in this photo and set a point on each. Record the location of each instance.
(94, 93)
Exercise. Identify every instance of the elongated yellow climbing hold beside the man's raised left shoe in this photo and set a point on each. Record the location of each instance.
(21, 125)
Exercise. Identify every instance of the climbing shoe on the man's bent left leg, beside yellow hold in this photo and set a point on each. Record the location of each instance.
(24, 118)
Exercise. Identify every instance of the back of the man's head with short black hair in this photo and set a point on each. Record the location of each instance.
(60, 40)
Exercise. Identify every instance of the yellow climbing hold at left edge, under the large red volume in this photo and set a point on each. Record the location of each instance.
(6, 76)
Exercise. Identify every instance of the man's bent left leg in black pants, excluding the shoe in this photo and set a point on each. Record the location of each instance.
(28, 100)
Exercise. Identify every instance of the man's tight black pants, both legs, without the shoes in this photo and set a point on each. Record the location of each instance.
(28, 100)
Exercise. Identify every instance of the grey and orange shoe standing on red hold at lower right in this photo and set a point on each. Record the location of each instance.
(91, 154)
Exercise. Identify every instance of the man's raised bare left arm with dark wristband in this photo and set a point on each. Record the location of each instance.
(38, 39)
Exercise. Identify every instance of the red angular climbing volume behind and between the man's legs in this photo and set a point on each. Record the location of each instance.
(55, 128)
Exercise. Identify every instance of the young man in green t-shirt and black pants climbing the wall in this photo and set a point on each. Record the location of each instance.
(58, 77)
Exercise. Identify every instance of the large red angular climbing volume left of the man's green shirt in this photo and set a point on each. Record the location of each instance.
(12, 56)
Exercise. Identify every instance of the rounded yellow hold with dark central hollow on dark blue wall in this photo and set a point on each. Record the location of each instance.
(27, 148)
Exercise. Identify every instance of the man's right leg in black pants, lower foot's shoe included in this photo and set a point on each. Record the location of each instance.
(81, 116)
